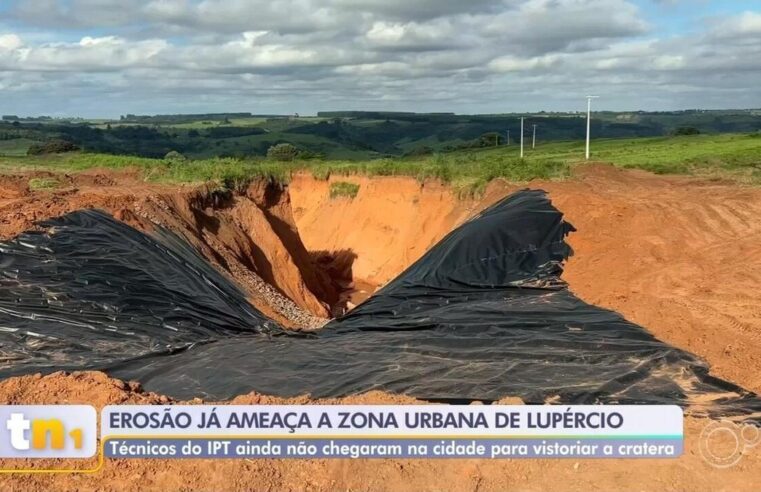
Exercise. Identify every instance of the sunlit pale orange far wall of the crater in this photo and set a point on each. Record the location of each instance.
(389, 224)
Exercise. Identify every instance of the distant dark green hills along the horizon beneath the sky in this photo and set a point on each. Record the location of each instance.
(351, 135)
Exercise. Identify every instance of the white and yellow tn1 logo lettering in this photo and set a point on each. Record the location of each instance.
(40, 429)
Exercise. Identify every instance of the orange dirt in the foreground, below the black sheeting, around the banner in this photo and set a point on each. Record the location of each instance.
(689, 472)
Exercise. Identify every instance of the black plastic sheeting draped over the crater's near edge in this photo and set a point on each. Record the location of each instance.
(483, 315)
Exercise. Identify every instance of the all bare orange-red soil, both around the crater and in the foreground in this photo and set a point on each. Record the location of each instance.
(676, 255)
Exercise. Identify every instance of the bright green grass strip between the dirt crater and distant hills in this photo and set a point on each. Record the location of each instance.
(731, 156)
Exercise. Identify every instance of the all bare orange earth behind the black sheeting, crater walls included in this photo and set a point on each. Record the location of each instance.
(676, 255)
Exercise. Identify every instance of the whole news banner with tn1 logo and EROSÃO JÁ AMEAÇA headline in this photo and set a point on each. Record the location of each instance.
(343, 431)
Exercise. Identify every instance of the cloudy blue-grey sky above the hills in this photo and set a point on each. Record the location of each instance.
(104, 58)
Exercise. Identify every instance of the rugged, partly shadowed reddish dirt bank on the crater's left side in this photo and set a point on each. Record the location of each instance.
(250, 234)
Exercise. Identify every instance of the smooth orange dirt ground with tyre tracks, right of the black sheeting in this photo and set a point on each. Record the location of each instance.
(679, 256)
